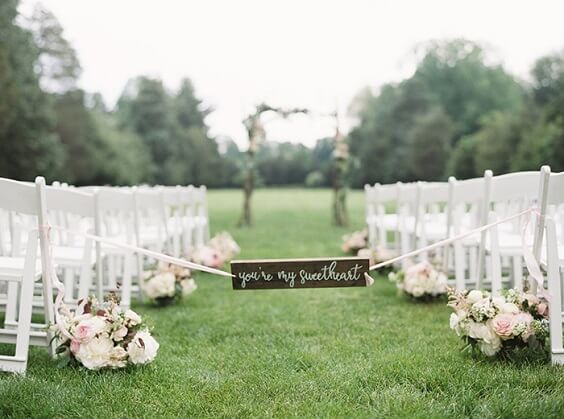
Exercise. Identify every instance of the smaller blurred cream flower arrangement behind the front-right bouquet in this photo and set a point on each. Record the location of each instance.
(421, 281)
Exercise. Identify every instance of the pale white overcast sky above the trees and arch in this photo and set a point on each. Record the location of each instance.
(295, 53)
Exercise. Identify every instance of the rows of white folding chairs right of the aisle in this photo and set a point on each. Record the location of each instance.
(404, 217)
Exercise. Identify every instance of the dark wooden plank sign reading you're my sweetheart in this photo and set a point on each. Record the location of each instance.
(300, 273)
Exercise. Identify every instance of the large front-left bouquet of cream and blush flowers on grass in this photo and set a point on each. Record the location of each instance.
(103, 336)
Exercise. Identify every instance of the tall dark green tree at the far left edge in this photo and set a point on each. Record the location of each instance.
(29, 146)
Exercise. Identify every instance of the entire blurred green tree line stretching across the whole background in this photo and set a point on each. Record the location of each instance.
(457, 114)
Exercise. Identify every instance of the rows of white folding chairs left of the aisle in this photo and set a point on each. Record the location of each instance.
(170, 219)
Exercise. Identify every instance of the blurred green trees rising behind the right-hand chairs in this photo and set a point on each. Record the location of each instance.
(458, 114)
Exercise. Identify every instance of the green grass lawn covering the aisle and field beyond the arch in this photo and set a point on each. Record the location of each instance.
(327, 352)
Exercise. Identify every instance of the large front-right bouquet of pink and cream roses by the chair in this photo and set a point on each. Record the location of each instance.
(499, 325)
